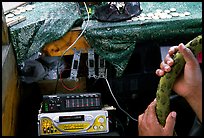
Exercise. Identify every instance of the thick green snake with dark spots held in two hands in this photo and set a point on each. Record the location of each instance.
(167, 81)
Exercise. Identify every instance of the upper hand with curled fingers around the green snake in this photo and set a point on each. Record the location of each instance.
(190, 81)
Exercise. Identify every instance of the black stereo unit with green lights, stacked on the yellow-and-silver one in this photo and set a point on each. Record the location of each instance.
(71, 102)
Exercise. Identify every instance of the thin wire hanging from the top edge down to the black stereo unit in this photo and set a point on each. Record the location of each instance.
(71, 46)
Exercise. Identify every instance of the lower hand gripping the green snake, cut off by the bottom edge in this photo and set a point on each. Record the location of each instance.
(148, 124)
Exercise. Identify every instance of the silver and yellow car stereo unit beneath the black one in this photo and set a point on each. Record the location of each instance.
(73, 123)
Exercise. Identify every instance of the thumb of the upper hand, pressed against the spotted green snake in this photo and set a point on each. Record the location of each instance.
(187, 54)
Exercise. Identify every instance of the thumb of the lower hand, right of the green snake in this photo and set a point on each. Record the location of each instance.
(170, 122)
